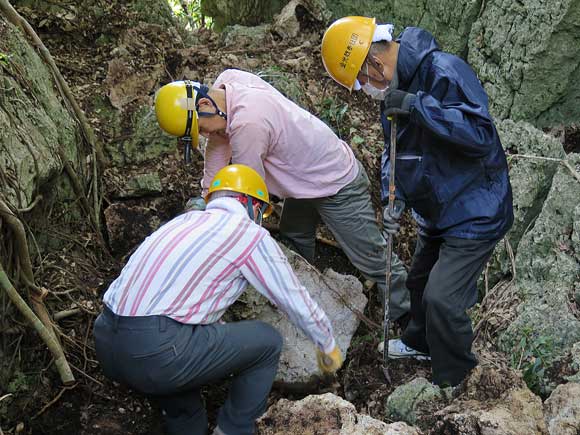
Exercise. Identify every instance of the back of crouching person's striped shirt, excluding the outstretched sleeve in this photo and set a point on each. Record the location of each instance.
(184, 269)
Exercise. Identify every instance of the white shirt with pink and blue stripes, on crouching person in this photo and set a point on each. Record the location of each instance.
(195, 266)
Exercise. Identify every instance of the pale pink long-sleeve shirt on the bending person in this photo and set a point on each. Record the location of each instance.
(298, 155)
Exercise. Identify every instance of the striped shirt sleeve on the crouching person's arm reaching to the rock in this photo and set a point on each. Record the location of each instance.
(268, 271)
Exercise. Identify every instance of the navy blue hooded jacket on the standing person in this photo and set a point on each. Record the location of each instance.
(451, 168)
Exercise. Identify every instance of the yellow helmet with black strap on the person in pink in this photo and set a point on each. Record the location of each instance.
(175, 109)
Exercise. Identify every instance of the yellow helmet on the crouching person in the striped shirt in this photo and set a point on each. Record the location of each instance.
(241, 179)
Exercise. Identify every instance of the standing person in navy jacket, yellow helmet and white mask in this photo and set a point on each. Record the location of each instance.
(450, 170)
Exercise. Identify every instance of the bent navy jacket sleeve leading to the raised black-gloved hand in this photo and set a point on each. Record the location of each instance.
(457, 113)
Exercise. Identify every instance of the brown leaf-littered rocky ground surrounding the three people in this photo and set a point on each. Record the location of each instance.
(112, 69)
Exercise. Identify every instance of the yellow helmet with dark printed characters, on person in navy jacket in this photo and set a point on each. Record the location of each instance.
(345, 46)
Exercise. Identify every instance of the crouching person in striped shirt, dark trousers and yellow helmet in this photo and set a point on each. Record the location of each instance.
(159, 331)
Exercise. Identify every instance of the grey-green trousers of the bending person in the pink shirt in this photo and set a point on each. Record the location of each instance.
(350, 216)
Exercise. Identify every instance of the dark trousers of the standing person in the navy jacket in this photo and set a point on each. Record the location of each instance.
(443, 285)
